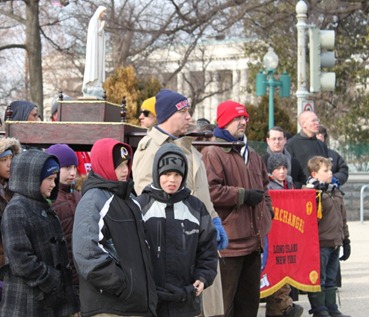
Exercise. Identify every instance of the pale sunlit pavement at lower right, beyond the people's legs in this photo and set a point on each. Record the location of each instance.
(354, 293)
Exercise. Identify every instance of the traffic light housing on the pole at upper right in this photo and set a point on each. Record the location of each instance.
(321, 55)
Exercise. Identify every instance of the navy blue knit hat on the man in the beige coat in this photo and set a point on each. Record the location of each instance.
(169, 102)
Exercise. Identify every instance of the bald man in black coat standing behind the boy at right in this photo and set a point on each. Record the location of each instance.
(304, 145)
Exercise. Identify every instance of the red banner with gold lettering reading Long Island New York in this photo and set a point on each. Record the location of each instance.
(293, 254)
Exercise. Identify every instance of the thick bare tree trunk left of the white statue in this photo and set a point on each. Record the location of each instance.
(34, 50)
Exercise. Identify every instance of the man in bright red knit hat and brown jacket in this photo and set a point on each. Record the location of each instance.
(238, 182)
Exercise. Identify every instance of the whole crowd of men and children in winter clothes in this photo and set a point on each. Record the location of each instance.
(166, 230)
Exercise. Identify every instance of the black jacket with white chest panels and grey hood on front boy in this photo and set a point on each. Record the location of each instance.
(182, 238)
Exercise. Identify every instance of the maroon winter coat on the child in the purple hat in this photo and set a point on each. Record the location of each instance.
(65, 207)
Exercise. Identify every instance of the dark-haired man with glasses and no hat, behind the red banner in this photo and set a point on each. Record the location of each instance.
(276, 139)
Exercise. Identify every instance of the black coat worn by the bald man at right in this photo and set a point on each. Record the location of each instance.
(303, 148)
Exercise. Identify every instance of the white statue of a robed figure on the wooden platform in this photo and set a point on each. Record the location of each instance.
(94, 75)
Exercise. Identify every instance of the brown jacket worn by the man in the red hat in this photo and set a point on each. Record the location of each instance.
(229, 176)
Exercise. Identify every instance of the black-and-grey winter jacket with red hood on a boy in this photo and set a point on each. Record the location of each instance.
(109, 246)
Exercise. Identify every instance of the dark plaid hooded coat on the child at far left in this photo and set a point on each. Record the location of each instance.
(38, 278)
